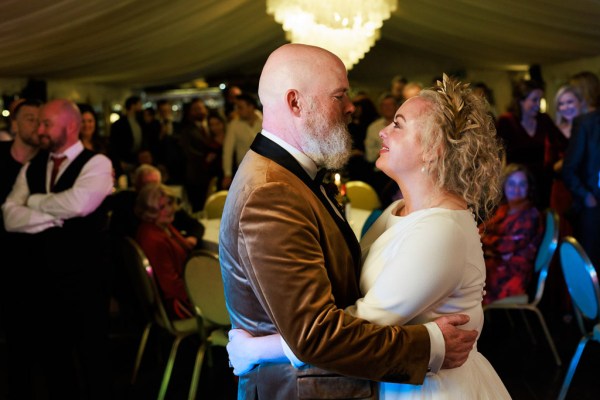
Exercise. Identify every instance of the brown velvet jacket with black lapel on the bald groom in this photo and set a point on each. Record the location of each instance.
(291, 265)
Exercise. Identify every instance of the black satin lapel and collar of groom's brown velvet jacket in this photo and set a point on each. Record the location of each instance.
(271, 150)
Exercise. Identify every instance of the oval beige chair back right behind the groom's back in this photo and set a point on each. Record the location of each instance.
(205, 287)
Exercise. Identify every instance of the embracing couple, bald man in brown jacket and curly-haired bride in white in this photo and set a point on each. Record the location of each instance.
(314, 315)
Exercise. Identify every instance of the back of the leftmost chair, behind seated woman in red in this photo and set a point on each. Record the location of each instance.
(142, 276)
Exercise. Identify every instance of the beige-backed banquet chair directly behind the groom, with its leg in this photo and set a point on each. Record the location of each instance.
(205, 289)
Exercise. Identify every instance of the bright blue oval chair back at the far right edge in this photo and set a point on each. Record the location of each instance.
(580, 277)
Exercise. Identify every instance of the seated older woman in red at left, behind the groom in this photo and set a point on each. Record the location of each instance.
(166, 249)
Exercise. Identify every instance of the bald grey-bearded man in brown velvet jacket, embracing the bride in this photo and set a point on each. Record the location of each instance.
(290, 261)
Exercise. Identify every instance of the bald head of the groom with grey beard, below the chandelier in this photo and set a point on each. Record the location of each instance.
(304, 92)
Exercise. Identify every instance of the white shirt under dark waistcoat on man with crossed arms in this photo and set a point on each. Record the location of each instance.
(27, 213)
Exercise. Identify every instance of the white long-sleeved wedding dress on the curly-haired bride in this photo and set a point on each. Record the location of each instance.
(417, 268)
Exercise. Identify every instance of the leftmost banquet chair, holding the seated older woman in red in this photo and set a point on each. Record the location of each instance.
(149, 296)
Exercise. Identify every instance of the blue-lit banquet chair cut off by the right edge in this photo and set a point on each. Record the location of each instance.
(582, 282)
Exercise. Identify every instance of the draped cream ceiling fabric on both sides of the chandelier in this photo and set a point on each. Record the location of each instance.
(143, 43)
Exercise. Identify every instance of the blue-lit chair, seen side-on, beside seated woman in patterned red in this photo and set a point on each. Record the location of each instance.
(542, 263)
